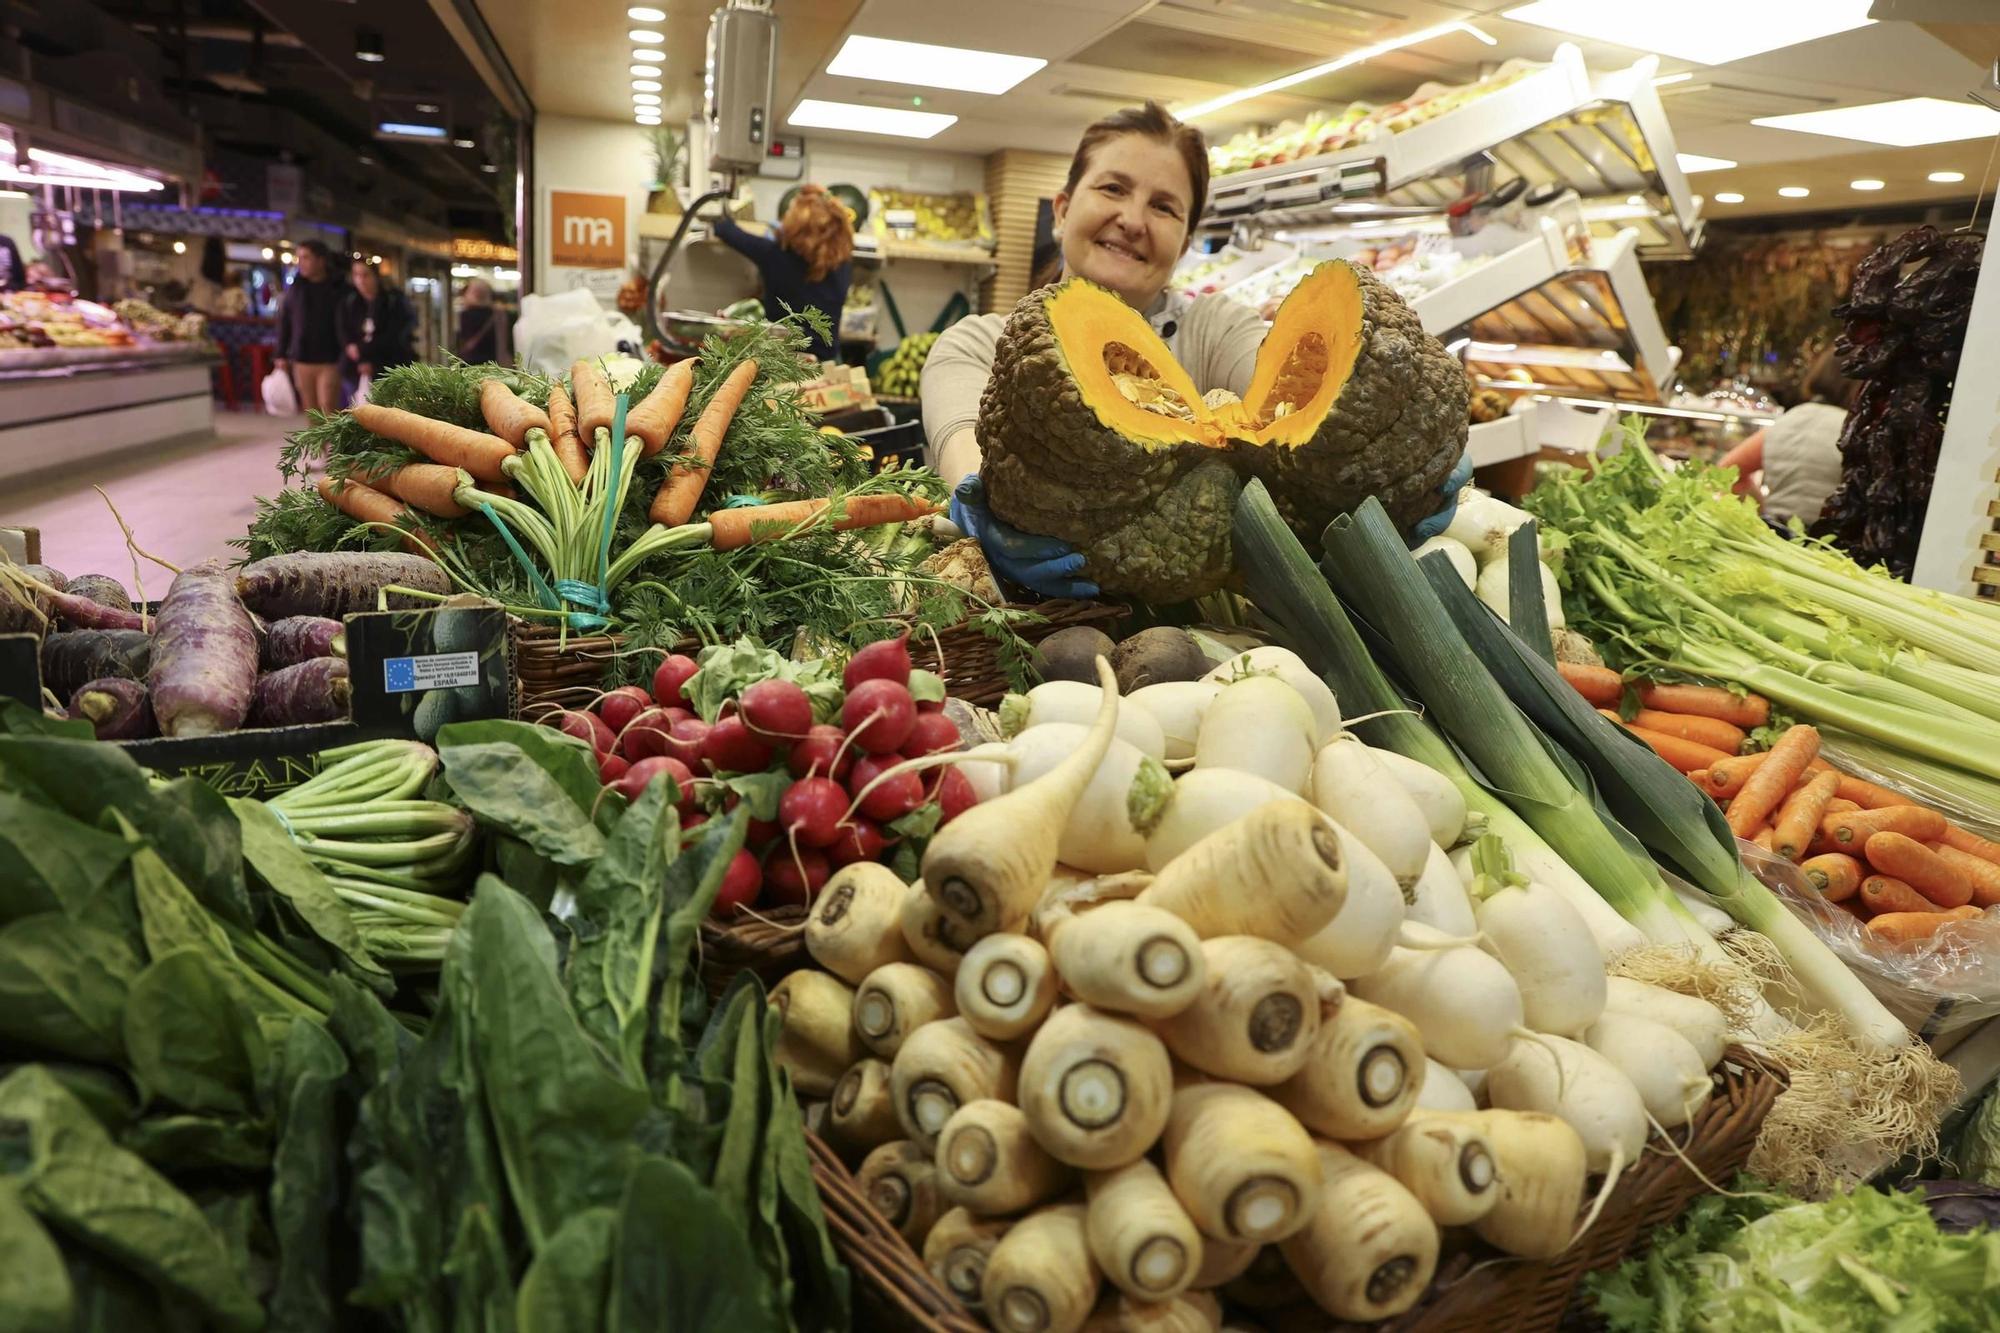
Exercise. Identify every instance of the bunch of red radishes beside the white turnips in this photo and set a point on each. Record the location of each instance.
(825, 792)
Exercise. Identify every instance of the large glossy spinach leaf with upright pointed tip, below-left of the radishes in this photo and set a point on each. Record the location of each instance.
(561, 1116)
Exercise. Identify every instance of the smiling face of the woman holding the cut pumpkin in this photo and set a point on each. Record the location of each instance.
(1127, 225)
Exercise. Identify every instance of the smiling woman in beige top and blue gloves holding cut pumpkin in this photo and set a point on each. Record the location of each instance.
(1137, 185)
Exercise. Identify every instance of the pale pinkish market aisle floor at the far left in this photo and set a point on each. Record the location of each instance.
(183, 503)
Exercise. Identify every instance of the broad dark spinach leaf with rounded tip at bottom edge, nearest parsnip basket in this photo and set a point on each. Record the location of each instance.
(675, 1268)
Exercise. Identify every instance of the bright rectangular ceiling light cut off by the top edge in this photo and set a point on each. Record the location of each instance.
(1699, 31)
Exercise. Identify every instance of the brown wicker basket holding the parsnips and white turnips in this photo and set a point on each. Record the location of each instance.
(1477, 1290)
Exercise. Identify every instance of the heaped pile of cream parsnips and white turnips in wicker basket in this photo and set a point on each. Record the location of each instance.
(1249, 1018)
